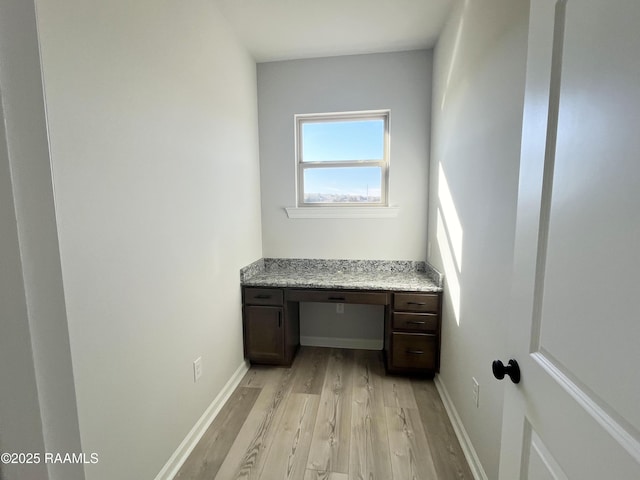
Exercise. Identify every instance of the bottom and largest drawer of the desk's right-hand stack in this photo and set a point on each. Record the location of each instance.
(413, 350)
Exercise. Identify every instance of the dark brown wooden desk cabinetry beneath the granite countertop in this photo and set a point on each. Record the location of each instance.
(271, 323)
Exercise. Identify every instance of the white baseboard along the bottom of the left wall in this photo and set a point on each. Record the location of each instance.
(181, 454)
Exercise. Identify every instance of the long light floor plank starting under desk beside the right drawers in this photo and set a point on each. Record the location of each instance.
(369, 454)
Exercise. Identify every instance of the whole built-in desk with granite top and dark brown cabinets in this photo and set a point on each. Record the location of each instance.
(411, 293)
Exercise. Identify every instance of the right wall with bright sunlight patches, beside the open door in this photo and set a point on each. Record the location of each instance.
(477, 118)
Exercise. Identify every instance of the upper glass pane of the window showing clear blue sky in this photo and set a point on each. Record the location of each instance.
(343, 140)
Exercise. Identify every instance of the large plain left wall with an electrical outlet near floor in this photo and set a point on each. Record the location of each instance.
(152, 115)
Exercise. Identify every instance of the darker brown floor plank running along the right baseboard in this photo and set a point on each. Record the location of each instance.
(445, 449)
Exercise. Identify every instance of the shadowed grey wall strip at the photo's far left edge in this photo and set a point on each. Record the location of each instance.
(37, 404)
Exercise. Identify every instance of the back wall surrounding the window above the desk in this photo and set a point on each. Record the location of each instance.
(399, 81)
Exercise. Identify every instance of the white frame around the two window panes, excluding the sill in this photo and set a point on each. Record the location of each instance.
(301, 166)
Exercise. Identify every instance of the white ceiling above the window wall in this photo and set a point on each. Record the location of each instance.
(291, 29)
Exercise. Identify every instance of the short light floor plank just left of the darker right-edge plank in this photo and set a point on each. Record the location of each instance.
(410, 453)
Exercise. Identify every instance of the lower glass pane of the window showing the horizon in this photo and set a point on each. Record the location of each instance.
(343, 185)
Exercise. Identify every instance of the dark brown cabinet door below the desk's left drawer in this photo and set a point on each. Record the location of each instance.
(264, 334)
